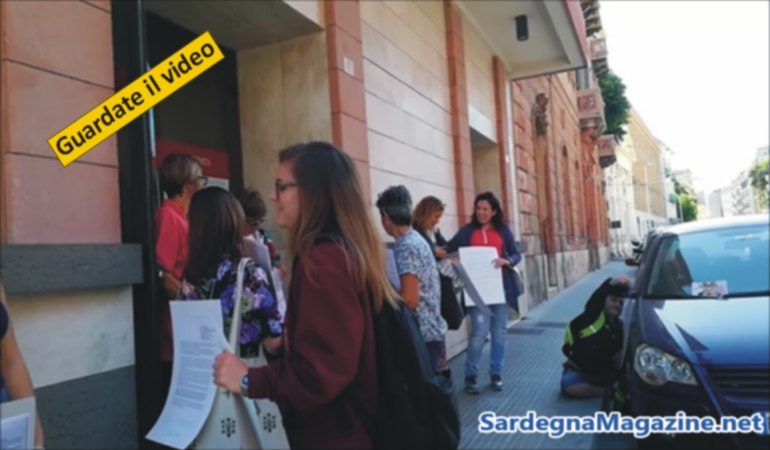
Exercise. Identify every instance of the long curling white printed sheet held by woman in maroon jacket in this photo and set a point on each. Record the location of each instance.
(198, 339)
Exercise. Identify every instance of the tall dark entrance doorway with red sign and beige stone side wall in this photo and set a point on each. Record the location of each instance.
(271, 90)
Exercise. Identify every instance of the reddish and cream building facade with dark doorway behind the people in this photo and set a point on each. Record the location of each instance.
(438, 96)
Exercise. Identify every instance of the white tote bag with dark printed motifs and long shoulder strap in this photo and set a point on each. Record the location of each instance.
(237, 422)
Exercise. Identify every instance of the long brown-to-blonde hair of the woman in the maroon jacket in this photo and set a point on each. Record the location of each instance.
(332, 207)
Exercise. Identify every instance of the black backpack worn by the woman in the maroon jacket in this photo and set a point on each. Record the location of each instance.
(416, 407)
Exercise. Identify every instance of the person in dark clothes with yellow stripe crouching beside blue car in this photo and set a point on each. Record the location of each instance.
(593, 342)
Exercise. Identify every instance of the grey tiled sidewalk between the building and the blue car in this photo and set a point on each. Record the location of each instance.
(533, 366)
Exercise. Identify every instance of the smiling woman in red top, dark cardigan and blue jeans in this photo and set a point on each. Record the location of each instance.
(488, 228)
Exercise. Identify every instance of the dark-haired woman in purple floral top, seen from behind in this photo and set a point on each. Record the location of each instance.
(215, 249)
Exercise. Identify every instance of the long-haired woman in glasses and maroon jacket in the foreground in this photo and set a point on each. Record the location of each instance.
(326, 382)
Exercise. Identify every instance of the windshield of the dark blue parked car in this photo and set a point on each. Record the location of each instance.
(725, 262)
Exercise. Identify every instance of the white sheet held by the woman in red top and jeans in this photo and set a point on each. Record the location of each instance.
(478, 264)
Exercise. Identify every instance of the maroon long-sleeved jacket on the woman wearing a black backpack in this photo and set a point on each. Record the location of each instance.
(326, 382)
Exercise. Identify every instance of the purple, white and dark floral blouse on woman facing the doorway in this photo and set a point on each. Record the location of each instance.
(260, 316)
